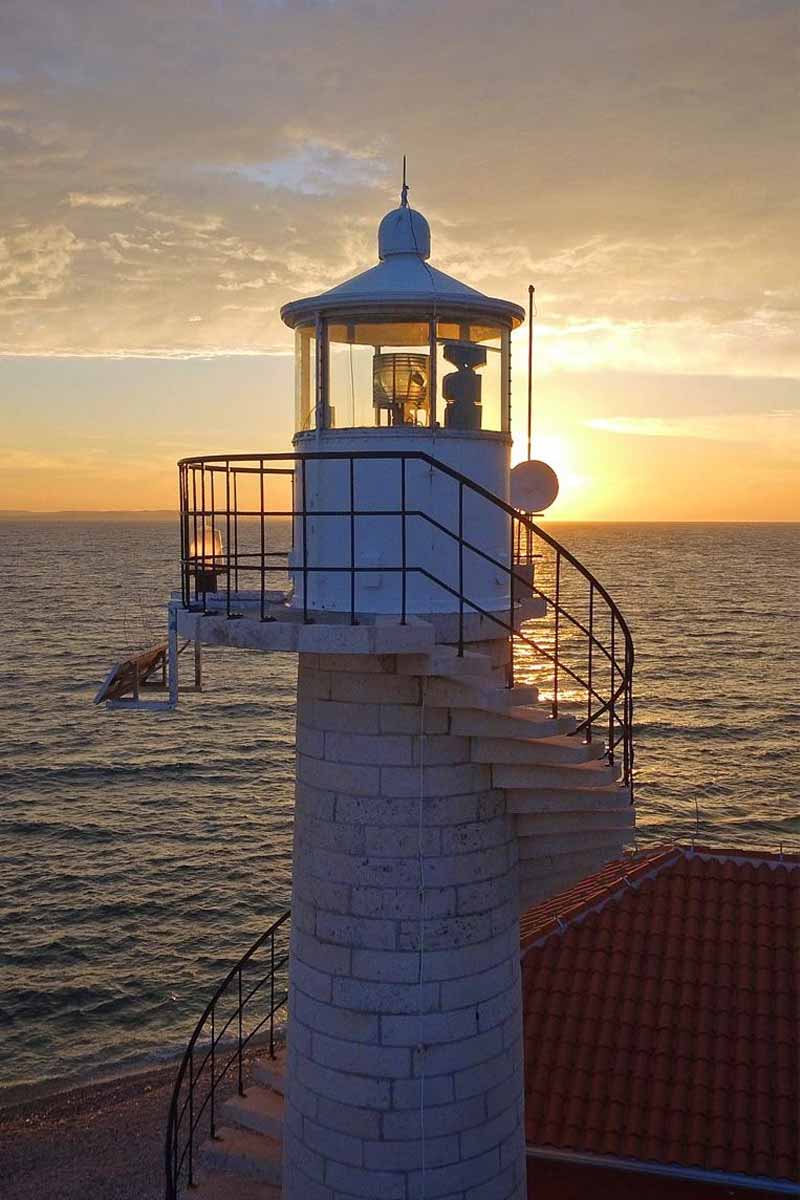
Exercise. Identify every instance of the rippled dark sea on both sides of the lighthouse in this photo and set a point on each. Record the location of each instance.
(141, 854)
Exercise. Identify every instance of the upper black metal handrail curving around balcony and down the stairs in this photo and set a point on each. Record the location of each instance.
(606, 670)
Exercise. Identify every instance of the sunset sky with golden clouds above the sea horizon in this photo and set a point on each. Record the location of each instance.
(175, 171)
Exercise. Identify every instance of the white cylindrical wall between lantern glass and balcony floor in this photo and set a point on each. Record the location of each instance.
(377, 541)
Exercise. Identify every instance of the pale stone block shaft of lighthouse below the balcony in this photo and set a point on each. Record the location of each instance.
(383, 1040)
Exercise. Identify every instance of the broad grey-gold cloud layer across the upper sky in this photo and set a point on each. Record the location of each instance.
(629, 160)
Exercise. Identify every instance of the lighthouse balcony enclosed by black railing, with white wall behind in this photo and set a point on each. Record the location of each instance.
(280, 555)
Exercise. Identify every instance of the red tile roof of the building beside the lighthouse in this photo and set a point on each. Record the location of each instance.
(663, 1011)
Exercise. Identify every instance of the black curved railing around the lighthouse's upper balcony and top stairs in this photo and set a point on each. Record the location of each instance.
(581, 657)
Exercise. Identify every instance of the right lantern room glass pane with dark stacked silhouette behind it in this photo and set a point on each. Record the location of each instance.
(472, 376)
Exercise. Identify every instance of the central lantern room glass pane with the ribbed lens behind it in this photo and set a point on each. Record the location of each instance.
(378, 374)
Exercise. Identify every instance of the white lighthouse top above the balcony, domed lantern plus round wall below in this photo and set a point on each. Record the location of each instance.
(402, 361)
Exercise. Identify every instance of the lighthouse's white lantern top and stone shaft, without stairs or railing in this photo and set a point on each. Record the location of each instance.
(405, 1073)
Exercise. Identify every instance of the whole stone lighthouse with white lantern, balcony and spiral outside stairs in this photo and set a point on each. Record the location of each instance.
(464, 736)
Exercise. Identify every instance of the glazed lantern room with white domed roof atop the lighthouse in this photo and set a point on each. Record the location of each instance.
(402, 346)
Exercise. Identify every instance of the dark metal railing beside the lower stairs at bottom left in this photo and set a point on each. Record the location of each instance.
(240, 1015)
